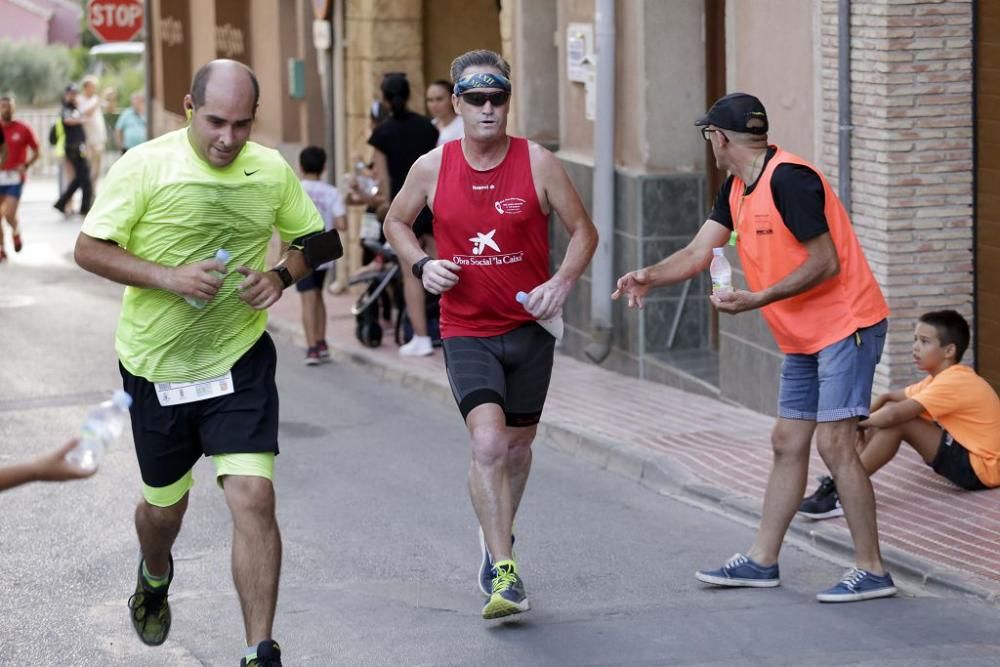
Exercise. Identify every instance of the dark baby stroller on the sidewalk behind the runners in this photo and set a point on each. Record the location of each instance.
(383, 300)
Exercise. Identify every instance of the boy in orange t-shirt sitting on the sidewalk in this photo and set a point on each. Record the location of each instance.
(951, 417)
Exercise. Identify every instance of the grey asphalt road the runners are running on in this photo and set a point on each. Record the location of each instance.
(380, 541)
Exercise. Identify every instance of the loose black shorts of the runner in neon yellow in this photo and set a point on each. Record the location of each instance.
(170, 440)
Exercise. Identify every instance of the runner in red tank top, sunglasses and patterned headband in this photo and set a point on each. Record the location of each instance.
(491, 195)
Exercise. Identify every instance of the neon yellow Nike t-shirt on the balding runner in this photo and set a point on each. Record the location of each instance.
(163, 203)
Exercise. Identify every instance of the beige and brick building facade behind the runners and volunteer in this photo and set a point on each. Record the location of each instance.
(924, 82)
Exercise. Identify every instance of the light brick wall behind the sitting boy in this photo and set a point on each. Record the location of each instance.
(911, 156)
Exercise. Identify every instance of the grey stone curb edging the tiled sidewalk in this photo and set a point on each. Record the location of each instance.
(658, 472)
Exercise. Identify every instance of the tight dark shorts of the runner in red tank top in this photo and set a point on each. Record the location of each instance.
(511, 370)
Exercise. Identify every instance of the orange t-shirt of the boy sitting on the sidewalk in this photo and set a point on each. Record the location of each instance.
(966, 406)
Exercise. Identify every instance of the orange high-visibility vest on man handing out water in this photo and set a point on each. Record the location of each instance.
(826, 313)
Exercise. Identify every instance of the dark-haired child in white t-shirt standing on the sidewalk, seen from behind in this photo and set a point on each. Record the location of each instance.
(327, 199)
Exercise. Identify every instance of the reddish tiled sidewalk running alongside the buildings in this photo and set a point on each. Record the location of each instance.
(683, 444)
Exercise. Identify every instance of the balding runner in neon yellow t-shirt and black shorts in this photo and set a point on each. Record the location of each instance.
(202, 380)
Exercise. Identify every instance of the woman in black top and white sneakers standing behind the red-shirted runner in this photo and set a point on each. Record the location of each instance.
(398, 142)
